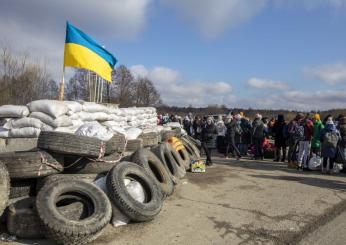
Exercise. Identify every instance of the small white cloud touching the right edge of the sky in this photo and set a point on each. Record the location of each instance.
(330, 74)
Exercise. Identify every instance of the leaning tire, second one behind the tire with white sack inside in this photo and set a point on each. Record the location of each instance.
(164, 152)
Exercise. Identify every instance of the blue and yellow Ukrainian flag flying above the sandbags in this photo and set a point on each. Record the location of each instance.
(82, 51)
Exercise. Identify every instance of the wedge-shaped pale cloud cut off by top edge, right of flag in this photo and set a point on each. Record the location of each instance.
(213, 17)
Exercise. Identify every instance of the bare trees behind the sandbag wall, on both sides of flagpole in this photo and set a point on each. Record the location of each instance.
(24, 79)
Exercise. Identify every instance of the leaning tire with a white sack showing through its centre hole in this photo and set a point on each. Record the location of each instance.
(121, 198)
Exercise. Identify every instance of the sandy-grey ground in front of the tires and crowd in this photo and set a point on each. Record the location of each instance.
(241, 202)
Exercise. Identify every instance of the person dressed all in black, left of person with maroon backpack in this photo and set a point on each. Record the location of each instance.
(278, 131)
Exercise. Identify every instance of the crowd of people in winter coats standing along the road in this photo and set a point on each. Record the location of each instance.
(296, 141)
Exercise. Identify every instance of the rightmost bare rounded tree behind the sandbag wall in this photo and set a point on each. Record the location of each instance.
(145, 93)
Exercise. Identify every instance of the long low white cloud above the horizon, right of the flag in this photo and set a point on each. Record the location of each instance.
(175, 90)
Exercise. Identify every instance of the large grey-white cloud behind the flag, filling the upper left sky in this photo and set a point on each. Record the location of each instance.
(39, 26)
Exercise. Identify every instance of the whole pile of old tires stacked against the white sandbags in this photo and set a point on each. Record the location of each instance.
(51, 192)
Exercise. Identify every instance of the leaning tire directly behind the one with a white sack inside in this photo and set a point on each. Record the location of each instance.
(149, 161)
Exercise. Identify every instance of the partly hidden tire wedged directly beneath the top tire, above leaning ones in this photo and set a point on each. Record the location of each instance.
(89, 165)
